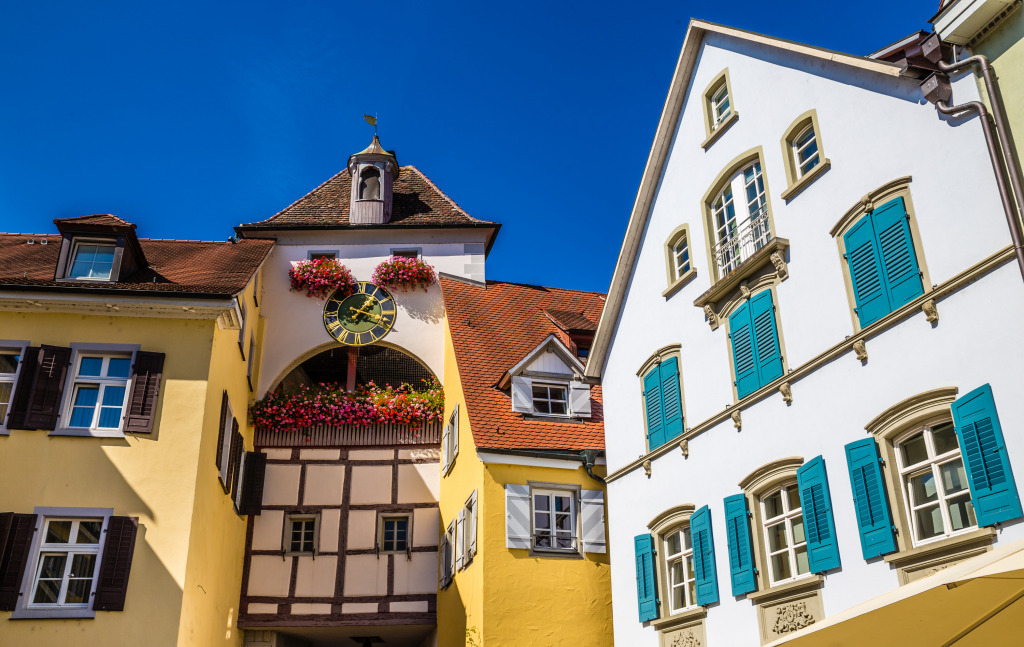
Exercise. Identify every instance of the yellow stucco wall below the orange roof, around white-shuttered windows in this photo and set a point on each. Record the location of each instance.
(538, 601)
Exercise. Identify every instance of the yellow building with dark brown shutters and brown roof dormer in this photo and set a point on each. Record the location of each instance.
(126, 368)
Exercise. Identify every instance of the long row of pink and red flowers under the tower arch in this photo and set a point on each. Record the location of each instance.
(331, 405)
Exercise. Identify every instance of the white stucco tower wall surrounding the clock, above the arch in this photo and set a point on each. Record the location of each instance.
(295, 322)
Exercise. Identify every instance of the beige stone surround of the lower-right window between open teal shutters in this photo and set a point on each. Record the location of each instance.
(914, 563)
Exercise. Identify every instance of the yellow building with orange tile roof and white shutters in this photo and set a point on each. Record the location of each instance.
(524, 553)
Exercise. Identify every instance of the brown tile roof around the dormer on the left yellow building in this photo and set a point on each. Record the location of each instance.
(175, 267)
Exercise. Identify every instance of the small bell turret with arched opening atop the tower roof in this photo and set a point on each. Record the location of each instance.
(374, 171)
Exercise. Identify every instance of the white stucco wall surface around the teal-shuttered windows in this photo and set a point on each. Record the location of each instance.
(875, 130)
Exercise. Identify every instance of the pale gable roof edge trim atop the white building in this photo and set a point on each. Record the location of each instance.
(678, 91)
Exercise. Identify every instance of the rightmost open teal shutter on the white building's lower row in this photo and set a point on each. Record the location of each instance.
(994, 492)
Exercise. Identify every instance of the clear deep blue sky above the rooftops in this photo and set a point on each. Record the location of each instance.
(188, 118)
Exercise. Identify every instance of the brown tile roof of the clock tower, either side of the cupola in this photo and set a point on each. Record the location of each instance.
(418, 202)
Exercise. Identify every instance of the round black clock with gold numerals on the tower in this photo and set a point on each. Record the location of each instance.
(361, 319)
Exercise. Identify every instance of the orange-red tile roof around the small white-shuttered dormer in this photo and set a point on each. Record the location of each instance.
(493, 329)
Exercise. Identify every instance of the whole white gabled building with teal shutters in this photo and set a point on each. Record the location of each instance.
(818, 268)
